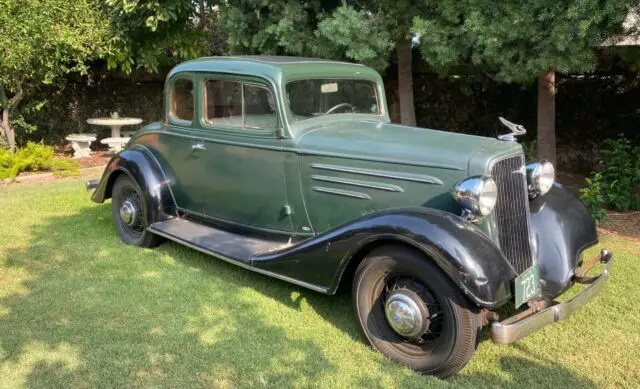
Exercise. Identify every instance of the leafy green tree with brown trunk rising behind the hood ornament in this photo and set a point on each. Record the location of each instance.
(516, 41)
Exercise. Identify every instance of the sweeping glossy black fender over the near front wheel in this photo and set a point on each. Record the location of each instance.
(470, 259)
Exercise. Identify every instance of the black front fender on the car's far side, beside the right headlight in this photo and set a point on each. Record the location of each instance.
(562, 228)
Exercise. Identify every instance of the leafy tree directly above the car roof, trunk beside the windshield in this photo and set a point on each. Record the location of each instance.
(364, 31)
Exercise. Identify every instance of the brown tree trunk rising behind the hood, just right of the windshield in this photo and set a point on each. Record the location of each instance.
(405, 83)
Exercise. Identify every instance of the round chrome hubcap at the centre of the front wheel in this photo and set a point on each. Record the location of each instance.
(406, 313)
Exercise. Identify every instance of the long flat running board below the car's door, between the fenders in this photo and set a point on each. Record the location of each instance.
(213, 241)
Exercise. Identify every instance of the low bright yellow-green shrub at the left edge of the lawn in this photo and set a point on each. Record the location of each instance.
(33, 157)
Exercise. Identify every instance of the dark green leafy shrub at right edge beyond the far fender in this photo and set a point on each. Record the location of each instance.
(615, 185)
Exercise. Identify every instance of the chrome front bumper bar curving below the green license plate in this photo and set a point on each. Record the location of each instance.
(511, 329)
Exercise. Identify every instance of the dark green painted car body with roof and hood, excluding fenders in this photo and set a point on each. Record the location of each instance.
(297, 164)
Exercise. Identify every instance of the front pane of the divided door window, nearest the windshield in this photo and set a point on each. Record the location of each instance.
(259, 107)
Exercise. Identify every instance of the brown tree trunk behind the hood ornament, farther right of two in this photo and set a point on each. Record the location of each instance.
(547, 115)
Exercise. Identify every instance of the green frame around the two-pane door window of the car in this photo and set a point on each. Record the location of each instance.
(237, 130)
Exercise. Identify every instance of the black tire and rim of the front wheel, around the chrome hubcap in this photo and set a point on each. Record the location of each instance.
(454, 325)
